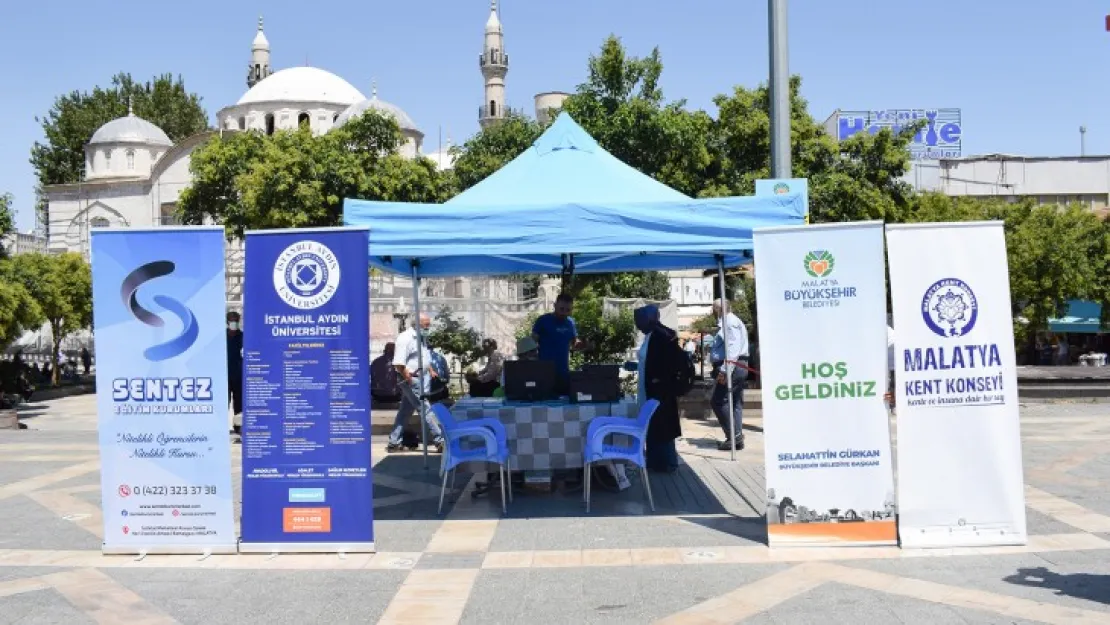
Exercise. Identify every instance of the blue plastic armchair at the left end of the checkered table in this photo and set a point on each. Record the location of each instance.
(493, 449)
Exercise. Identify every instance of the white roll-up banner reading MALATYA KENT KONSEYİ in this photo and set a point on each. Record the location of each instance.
(960, 441)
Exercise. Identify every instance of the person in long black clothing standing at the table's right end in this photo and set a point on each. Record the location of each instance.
(661, 365)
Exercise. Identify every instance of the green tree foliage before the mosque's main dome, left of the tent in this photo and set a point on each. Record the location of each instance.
(295, 179)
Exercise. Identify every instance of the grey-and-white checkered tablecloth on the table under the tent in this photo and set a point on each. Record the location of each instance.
(546, 437)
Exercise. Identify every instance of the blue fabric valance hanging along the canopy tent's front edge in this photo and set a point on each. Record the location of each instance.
(603, 237)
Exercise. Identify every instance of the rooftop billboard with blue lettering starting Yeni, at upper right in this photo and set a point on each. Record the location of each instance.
(942, 138)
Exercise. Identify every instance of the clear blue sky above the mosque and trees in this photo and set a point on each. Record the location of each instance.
(1027, 74)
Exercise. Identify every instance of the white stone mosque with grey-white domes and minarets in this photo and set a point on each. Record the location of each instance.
(135, 174)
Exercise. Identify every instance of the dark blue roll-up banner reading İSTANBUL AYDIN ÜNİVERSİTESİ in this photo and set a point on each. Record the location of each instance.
(307, 470)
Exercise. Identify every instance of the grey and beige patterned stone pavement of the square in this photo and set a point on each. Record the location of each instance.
(700, 559)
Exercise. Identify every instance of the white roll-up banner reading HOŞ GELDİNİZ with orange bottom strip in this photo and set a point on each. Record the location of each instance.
(823, 346)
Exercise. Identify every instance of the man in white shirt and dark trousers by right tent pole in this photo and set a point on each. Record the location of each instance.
(730, 361)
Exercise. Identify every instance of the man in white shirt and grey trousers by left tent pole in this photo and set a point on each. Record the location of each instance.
(415, 385)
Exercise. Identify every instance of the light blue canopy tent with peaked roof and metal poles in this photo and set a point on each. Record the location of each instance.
(567, 206)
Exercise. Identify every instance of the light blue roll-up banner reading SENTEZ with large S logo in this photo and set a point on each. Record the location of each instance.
(163, 390)
